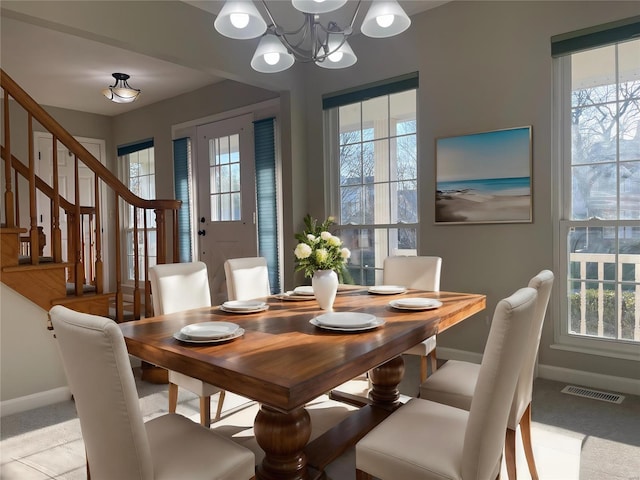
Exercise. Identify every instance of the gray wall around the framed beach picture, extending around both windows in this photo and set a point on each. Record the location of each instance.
(482, 66)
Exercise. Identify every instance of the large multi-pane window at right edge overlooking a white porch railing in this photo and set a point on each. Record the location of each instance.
(600, 212)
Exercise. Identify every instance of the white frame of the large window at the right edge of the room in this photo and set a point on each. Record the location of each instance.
(561, 185)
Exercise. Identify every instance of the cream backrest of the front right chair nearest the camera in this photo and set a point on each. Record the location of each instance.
(501, 364)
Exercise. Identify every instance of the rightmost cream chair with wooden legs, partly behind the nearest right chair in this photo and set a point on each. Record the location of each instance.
(454, 383)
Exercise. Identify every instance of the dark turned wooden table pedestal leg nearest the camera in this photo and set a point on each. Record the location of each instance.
(282, 437)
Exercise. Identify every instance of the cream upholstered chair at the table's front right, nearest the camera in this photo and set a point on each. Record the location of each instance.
(429, 440)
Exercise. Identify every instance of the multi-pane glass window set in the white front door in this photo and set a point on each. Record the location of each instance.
(224, 171)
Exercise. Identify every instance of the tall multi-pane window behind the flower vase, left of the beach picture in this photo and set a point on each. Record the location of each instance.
(376, 188)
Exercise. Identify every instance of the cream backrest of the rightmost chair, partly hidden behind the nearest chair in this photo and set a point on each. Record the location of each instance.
(542, 282)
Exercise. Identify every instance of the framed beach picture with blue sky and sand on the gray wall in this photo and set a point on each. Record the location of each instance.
(484, 177)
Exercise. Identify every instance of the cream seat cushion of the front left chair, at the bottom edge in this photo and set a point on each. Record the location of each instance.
(181, 448)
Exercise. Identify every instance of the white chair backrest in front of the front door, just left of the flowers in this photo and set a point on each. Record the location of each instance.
(247, 278)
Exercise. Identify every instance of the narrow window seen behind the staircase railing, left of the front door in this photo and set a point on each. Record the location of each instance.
(139, 166)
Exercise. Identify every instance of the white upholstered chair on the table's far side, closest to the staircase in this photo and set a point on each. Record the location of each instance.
(176, 287)
